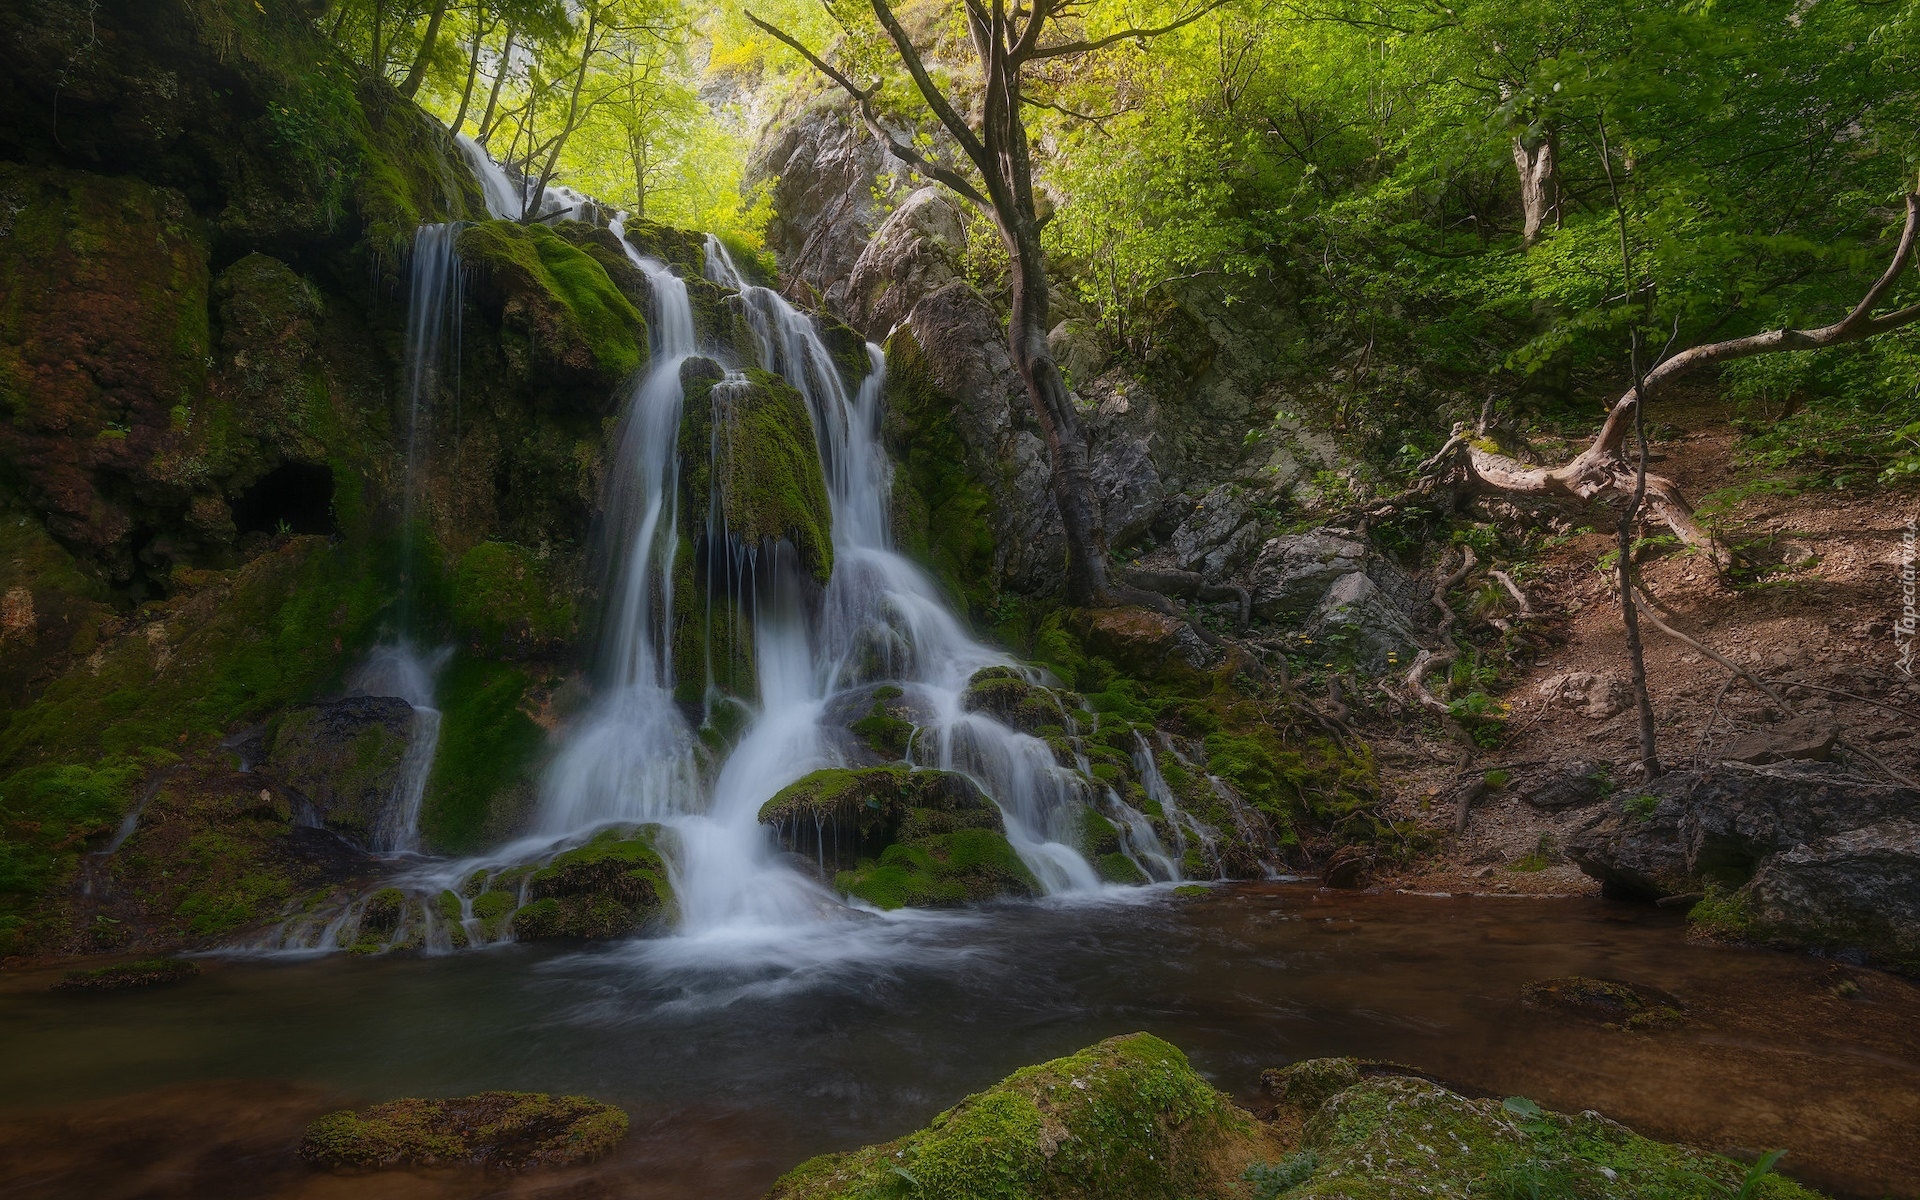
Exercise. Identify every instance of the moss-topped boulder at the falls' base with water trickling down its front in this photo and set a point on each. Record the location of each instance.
(838, 817)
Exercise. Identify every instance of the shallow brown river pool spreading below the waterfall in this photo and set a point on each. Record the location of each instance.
(861, 1034)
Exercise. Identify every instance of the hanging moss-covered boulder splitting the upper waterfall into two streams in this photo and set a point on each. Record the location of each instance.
(750, 444)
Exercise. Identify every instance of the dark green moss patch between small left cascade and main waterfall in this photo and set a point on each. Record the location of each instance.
(485, 763)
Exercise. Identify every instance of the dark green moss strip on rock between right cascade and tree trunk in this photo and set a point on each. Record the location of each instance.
(942, 516)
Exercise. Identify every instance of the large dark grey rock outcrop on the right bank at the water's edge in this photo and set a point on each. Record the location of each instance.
(1790, 853)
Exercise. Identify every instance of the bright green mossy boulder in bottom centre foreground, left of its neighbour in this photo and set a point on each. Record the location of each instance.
(1124, 1120)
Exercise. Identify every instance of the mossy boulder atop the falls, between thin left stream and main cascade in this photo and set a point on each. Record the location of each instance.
(562, 318)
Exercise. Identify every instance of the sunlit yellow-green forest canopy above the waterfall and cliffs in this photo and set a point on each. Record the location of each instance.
(1439, 185)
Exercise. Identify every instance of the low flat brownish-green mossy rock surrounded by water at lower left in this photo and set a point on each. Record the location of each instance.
(491, 1130)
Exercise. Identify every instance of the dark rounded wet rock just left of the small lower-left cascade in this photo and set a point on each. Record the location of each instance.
(343, 759)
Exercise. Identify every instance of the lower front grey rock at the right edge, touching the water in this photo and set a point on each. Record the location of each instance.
(1852, 892)
